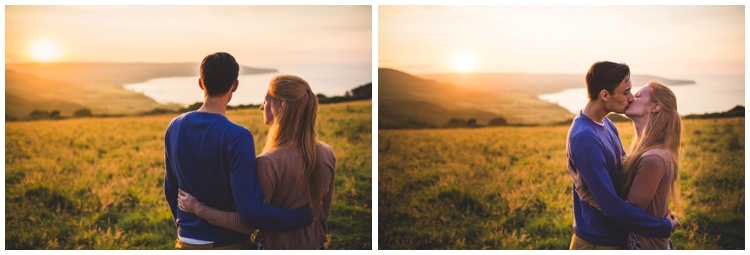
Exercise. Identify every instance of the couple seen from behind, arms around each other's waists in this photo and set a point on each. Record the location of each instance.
(219, 193)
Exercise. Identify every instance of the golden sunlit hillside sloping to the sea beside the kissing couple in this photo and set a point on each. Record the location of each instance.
(409, 101)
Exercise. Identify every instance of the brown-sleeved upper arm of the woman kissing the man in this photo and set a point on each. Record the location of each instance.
(651, 170)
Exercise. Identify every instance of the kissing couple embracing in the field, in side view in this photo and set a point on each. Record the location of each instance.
(619, 201)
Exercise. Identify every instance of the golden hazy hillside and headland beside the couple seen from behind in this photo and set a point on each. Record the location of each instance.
(98, 86)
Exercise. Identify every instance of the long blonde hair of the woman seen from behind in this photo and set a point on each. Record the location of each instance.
(294, 126)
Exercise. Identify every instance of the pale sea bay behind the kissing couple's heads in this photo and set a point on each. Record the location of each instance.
(709, 94)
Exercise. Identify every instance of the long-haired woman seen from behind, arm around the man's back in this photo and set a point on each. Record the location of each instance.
(294, 169)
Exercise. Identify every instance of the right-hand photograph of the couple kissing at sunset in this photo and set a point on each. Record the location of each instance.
(561, 127)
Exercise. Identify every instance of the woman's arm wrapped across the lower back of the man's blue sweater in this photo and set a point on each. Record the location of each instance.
(228, 220)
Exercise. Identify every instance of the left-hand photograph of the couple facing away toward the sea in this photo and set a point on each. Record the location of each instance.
(188, 127)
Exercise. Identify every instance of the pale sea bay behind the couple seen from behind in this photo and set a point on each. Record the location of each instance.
(328, 79)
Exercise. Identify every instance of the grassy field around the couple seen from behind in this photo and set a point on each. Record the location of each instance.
(97, 183)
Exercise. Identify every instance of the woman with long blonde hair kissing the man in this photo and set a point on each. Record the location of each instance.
(650, 169)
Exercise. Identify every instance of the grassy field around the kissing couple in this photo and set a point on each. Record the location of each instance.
(507, 187)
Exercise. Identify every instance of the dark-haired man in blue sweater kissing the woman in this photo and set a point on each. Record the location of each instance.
(595, 157)
